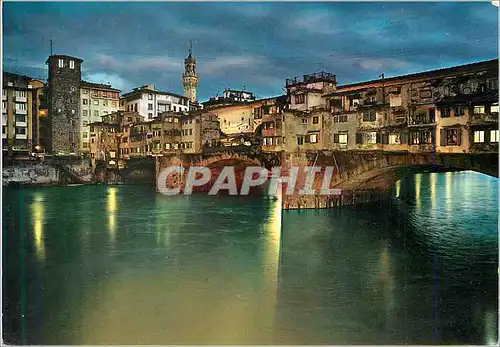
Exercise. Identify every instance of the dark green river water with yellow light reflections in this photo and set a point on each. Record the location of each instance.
(124, 265)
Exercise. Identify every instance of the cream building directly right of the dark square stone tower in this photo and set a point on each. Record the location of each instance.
(96, 100)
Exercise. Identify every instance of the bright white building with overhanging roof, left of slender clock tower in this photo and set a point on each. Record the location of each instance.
(150, 102)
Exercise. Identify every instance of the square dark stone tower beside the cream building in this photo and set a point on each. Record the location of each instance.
(64, 103)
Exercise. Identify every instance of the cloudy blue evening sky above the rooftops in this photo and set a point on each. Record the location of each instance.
(246, 45)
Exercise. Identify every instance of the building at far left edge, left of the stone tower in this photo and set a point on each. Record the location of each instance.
(22, 104)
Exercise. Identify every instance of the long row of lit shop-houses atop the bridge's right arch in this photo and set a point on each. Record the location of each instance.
(453, 110)
